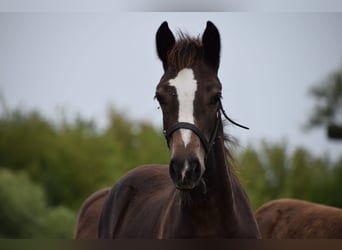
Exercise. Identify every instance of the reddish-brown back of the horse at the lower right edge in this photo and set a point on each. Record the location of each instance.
(298, 219)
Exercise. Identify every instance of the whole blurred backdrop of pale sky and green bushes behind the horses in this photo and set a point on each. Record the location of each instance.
(77, 109)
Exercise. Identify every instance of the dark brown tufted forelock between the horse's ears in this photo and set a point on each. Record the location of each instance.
(186, 52)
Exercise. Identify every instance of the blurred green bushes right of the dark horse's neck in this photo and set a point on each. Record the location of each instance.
(272, 172)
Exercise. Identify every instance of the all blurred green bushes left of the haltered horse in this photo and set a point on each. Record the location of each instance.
(67, 162)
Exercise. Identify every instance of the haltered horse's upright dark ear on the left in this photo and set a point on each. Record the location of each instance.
(164, 41)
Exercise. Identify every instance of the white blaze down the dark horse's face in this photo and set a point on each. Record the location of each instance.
(186, 87)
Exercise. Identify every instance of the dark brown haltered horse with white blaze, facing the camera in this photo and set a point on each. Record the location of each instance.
(198, 194)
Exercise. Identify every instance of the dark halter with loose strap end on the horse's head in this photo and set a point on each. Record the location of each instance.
(206, 144)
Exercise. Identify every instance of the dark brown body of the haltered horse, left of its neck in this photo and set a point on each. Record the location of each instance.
(134, 204)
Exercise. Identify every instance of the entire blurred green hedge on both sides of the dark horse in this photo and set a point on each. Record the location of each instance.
(48, 169)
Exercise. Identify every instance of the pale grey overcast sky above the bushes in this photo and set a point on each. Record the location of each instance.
(84, 61)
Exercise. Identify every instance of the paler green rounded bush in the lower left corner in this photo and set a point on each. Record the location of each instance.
(24, 212)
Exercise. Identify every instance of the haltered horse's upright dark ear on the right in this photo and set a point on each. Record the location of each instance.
(212, 45)
